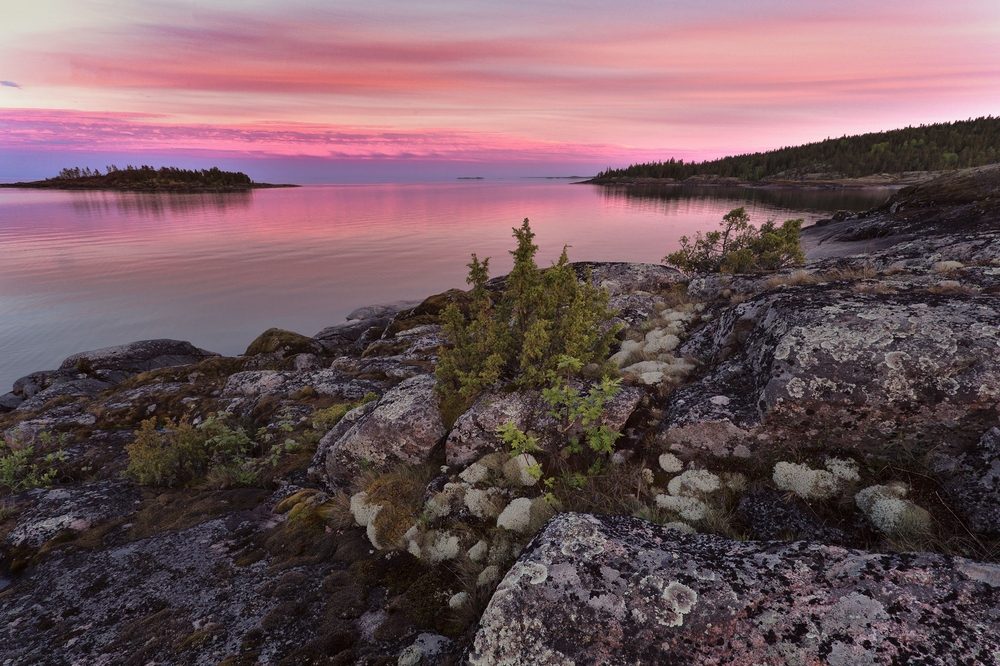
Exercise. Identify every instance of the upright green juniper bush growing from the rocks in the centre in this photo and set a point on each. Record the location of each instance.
(540, 316)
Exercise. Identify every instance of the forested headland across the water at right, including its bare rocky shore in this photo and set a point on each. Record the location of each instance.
(896, 158)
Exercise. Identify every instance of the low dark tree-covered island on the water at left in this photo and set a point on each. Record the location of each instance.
(148, 179)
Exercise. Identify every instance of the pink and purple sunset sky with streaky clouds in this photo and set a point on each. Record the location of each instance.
(325, 91)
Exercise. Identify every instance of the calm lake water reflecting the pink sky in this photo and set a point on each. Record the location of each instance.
(84, 270)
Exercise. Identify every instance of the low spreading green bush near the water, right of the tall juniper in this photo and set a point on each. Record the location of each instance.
(740, 248)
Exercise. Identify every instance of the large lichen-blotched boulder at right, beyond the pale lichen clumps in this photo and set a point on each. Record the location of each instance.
(801, 362)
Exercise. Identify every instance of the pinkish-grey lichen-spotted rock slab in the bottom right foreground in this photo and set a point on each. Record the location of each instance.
(613, 590)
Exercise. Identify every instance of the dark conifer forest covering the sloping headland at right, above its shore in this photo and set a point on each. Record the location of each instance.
(957, 145)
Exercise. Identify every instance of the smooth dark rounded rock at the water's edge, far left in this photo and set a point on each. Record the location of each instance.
(137, 357)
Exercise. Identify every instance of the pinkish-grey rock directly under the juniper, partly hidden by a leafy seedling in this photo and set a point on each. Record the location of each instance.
(475, 431)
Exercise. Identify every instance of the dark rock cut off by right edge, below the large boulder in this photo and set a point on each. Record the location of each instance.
(975, 486)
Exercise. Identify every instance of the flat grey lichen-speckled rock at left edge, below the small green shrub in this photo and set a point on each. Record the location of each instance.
(75, 509)
